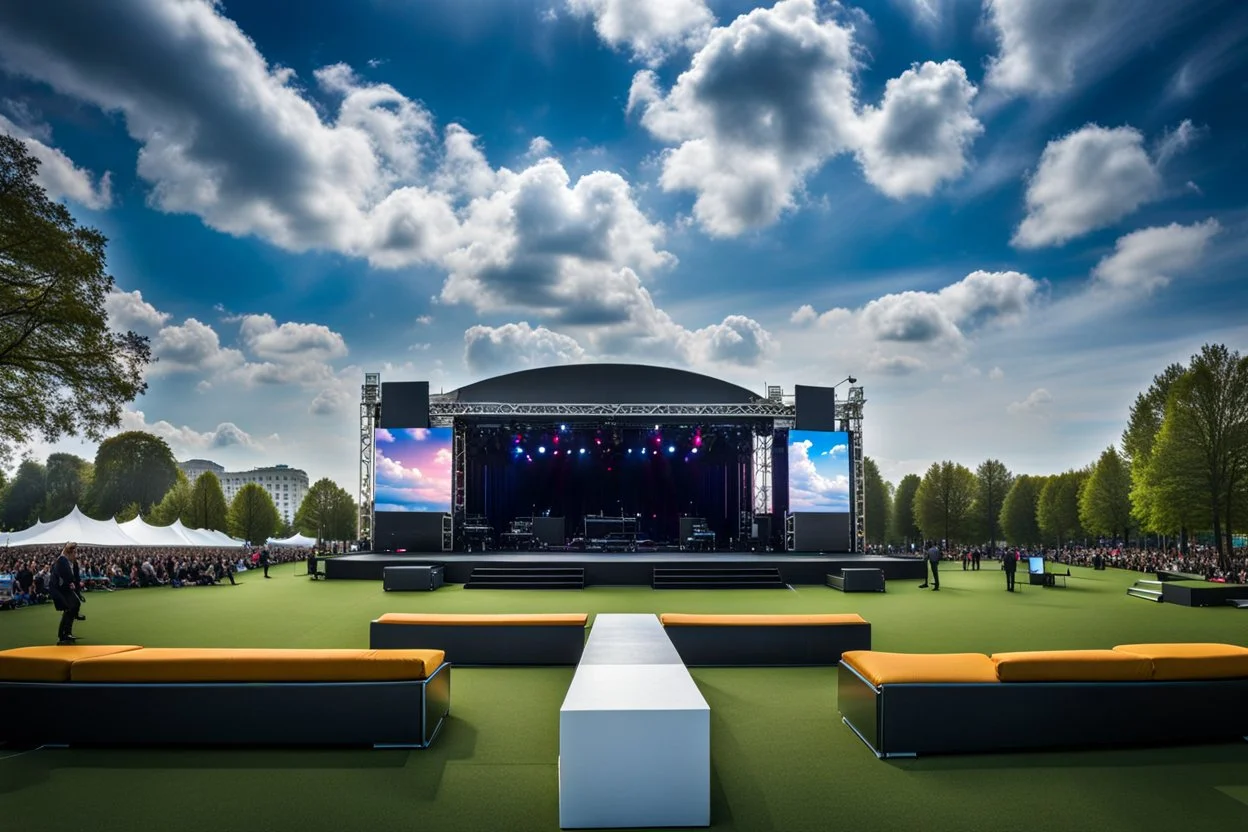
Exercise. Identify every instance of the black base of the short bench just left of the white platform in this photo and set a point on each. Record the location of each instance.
(485, 646)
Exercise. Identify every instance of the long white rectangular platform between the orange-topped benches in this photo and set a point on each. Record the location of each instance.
(635, 733)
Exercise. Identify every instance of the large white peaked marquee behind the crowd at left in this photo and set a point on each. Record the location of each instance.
(85, 532)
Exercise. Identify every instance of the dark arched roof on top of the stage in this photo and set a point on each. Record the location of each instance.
(605, 384)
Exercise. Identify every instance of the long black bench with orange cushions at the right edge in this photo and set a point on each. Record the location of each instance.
(1143, 694)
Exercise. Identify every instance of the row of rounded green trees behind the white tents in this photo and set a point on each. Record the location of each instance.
(135, 475)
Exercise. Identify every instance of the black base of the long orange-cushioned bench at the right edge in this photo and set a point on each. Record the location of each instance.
(908, 720)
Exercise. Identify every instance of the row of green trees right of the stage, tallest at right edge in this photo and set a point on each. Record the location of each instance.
(1182, 470)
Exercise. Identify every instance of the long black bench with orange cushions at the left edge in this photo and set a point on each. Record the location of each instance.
(132, 695)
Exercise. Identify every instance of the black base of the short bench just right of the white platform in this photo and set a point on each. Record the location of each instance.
(768, 646)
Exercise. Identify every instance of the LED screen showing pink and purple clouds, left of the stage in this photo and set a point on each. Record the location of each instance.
(414, 470)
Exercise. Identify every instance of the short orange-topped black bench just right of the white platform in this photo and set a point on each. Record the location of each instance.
(766, 641)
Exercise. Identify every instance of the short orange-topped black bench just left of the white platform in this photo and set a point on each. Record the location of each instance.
(486, 641)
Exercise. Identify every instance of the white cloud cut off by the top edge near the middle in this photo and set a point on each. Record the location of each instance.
(651, 29)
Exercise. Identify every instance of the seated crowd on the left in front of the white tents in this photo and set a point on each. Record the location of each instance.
(109, 568)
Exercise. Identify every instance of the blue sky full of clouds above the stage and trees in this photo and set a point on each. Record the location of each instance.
(1004, 218)
